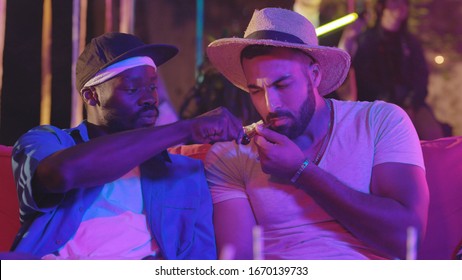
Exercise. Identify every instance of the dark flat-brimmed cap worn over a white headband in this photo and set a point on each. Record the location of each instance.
(112, 47)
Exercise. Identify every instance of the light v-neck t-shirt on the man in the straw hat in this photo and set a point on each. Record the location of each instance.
(294, 225)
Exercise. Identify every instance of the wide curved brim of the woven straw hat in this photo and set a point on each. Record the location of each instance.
(225, 55)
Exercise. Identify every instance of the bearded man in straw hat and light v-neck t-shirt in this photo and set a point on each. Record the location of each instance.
(324, 179)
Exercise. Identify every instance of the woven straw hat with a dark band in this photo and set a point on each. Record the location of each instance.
(280, 28)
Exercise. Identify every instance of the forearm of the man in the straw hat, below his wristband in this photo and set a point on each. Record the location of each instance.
(379, 221)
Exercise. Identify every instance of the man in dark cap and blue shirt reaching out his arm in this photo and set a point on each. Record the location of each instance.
(107, 189)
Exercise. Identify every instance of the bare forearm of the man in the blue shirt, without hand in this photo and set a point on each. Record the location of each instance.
(107, 158)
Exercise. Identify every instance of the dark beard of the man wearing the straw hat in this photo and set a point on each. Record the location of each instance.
(297, 124)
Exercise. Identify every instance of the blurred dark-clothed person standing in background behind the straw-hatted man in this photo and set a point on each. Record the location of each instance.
(388, 64)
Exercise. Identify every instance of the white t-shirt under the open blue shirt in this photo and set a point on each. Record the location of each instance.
(114, 226)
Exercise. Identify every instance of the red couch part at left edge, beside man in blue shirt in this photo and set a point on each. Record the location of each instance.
(9, 210)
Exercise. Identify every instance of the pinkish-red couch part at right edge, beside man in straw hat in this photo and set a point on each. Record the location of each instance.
(443, 161)
